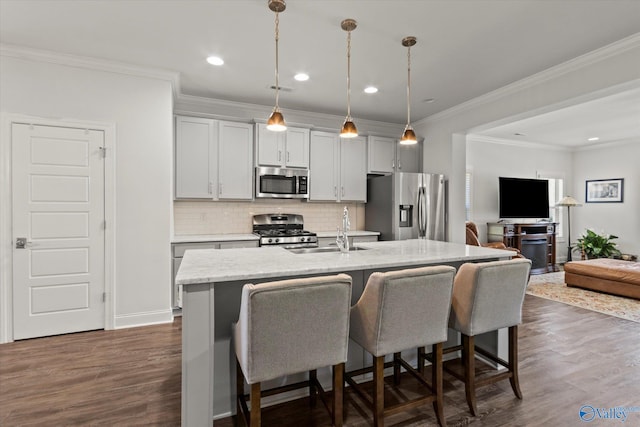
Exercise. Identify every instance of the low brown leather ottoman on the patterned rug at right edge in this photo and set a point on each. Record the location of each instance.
(612, 276)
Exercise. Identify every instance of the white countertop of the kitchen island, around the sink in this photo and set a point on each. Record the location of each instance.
(210, 265)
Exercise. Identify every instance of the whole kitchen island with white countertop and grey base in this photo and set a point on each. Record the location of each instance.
(211, 283)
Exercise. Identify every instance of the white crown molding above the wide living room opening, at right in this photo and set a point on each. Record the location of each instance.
(590, 58)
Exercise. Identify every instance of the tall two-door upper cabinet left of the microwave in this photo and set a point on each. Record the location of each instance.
(213, 159)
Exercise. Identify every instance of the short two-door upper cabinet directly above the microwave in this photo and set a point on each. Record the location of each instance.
(288, 149)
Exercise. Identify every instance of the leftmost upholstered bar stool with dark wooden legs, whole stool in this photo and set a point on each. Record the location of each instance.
(288, 327)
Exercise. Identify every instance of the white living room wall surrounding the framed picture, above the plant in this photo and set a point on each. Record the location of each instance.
(619, 219)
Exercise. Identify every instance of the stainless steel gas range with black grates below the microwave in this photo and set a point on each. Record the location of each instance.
(286, 230)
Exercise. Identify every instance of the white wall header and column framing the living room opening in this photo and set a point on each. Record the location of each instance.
(576, 81)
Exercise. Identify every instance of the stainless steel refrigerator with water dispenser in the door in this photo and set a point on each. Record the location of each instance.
(406, 206)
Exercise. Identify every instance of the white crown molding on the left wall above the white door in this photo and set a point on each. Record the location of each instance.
(21, 52)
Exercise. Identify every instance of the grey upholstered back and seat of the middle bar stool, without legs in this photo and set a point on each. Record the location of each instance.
(403, 309)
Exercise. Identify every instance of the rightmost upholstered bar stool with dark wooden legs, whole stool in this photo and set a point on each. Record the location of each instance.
(488, 296)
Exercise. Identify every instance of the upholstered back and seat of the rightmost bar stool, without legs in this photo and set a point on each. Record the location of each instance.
(488, 295)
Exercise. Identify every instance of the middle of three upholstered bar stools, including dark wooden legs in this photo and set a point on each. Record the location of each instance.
(401, 310)
